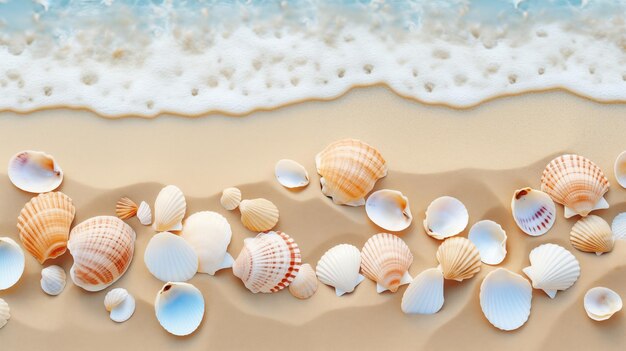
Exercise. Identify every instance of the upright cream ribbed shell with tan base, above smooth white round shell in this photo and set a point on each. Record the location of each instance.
(169, 209)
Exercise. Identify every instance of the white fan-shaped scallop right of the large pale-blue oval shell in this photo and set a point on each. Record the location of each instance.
(552, 268)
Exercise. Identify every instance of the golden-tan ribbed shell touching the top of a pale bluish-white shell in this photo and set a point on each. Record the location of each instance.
(458, 259)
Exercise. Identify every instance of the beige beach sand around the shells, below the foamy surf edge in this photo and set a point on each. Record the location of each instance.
(480, 156)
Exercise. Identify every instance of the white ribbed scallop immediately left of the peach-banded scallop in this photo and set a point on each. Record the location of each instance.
(339, 267)
